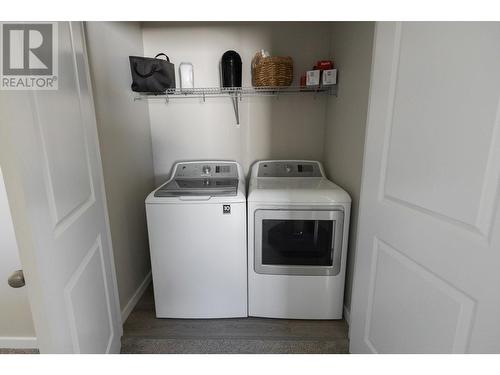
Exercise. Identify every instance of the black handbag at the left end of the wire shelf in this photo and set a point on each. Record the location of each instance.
(152, 74)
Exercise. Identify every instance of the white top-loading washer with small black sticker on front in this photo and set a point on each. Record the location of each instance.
(197, 237)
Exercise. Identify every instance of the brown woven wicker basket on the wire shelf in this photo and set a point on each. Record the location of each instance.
(272, 71)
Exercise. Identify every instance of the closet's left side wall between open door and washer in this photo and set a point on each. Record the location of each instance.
(125, 144)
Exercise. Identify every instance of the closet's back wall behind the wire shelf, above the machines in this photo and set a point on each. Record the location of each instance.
(287, 127)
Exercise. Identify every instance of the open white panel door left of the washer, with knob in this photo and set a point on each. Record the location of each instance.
(57, 191)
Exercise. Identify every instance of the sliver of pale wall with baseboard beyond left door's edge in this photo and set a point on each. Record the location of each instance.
(16, 323)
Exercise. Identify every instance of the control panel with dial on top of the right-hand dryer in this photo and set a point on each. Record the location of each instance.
(285, 168)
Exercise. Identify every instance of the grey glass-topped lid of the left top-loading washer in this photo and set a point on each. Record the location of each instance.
(199, 187)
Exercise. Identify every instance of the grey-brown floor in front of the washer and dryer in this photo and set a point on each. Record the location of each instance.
(144, 333)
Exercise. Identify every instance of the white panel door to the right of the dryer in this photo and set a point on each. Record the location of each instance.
(427, 264)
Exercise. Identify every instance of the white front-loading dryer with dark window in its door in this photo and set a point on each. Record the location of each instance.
(298, 225)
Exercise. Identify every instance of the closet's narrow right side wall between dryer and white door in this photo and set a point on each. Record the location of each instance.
(351, 48)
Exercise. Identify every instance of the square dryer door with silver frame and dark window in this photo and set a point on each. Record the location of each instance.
(298, 242)
